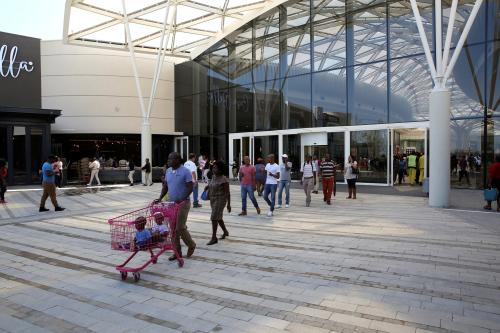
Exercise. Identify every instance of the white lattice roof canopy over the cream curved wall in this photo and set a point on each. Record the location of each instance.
(192, 25)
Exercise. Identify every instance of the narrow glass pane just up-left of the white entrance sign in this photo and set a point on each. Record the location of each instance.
(297, 102)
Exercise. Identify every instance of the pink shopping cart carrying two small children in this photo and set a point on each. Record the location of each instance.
(124, 231)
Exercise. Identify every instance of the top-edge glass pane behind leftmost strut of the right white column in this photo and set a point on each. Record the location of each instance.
(403, 34)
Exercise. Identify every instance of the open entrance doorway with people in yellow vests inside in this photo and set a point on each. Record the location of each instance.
(406, 141)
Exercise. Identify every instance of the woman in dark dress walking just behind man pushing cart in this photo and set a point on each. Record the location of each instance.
(219, 194)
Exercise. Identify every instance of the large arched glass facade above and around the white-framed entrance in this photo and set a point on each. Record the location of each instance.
(314, 63)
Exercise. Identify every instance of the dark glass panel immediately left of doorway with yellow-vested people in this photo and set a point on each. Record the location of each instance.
(369, 149)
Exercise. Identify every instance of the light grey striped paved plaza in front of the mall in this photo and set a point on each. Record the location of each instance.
(381, 263)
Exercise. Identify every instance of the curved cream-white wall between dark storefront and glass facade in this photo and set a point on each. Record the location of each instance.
(95, 89)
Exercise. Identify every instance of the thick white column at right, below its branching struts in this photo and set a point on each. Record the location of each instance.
(439, 157)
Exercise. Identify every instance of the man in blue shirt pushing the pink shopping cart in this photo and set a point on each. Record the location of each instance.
(179, 184)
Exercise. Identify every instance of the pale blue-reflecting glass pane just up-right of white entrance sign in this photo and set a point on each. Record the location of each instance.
(329, 98)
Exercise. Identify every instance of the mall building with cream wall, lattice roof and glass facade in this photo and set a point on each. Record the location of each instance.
(230, 78)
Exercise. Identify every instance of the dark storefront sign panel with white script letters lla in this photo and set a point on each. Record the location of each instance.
(20, 75)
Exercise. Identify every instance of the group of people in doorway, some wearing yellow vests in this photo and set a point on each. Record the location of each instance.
(411, 165)
